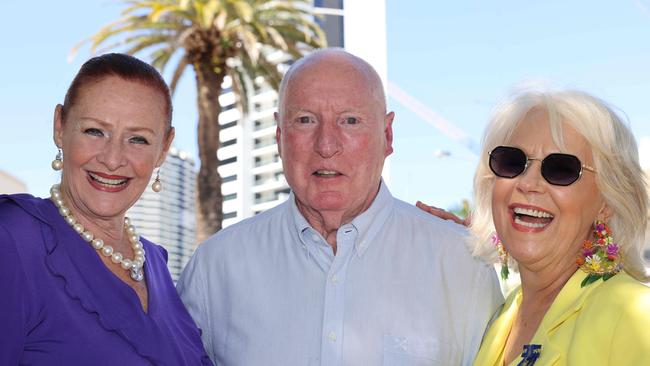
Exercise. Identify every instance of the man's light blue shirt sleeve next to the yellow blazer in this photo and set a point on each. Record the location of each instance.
(484, 300)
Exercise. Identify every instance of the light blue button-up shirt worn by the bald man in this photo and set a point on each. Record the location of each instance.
(402, 289)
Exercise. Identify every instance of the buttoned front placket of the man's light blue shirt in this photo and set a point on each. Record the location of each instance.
(334, 309)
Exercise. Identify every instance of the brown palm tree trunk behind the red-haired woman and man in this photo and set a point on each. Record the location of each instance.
(208, 183)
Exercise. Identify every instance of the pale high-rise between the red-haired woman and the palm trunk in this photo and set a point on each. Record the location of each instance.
(167, 218)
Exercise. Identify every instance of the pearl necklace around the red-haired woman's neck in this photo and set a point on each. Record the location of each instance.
(134, 266)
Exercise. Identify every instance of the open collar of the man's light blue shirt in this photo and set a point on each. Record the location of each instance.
(367, 224)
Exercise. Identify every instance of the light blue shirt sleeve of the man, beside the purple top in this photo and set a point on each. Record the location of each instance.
(192, 290)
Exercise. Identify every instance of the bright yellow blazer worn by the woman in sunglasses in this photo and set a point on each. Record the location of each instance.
(604, 323)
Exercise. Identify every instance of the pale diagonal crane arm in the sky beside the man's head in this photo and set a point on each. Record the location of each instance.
(432, 118)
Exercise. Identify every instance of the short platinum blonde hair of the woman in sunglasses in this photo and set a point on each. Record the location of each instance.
(620, 178)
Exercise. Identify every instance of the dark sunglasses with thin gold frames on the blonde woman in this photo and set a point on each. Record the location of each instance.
(558, 169)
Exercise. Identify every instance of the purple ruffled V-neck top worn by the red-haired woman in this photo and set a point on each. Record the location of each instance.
(60, 305)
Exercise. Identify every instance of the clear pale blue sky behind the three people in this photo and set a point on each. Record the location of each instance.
(457, 57)
